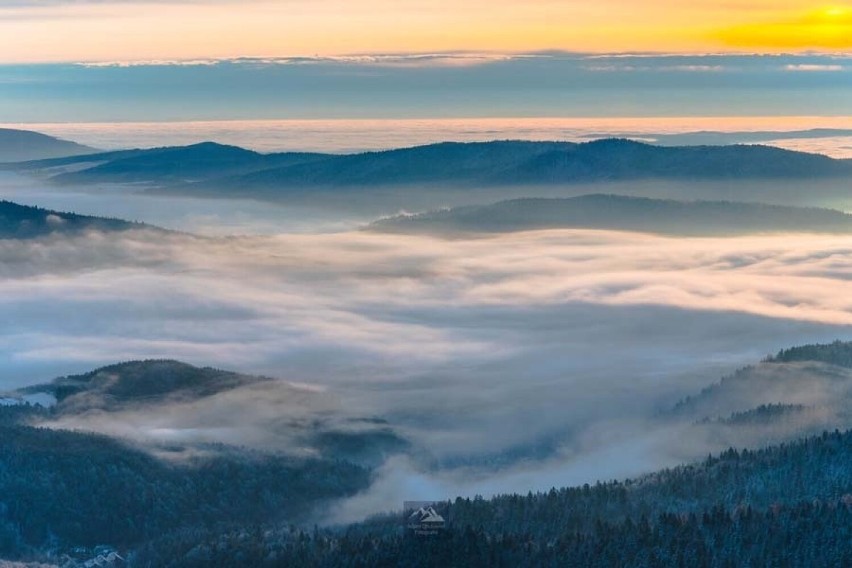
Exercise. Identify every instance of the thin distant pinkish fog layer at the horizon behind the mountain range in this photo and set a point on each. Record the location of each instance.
(826, 135)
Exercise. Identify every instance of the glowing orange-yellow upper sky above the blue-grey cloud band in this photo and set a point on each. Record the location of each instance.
(57, 30)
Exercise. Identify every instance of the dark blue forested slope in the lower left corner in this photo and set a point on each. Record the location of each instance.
(60, 489)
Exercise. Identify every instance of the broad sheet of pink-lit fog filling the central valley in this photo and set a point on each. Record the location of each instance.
(511, 362)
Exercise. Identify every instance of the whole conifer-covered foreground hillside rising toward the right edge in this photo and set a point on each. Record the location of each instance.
(789, 505)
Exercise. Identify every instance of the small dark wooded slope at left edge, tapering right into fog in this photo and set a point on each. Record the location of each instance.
(25, 222)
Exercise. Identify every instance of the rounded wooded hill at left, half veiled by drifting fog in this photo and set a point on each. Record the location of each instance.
(182, 397)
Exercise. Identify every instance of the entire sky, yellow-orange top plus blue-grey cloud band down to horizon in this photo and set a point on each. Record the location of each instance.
(173, 60)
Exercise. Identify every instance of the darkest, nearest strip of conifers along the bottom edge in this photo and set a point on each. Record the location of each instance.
(805, 535)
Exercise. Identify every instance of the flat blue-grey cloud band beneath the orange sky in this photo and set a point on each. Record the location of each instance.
(425, 85)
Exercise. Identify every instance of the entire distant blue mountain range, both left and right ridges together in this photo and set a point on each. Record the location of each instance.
(210, 168)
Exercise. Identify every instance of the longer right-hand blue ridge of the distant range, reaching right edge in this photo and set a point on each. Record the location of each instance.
(537, 163)
